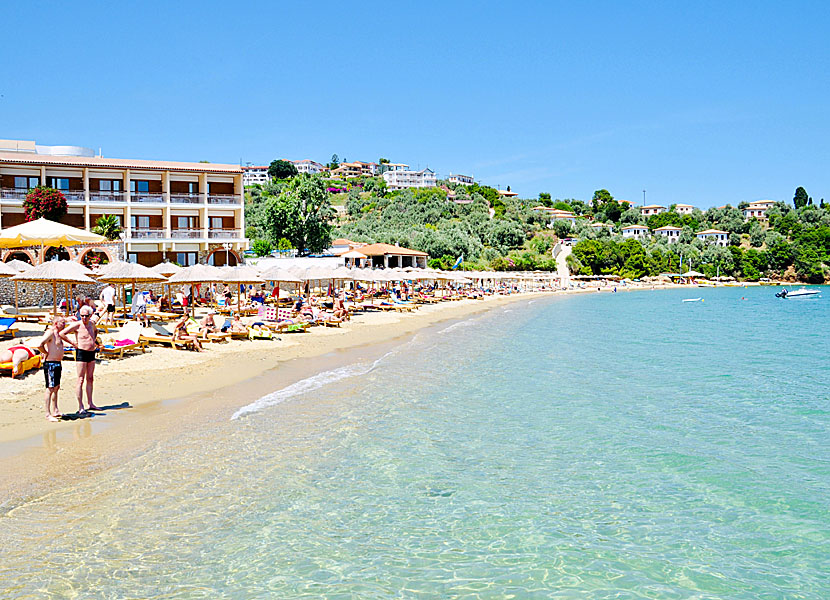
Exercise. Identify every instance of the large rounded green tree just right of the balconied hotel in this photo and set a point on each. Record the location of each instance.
(302, 213)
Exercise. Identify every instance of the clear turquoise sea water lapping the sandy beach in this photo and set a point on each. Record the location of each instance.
(601, 446)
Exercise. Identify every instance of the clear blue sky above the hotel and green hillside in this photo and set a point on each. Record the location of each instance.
(704, 103)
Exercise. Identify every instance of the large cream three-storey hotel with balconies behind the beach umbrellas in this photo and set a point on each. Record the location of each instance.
(185, 212)
